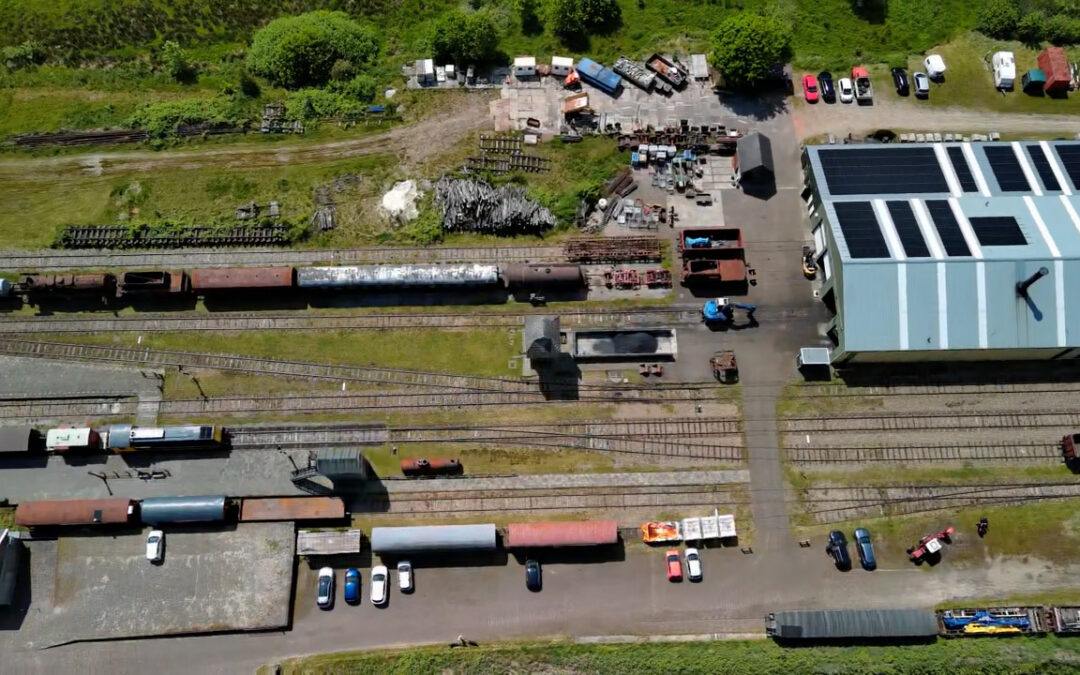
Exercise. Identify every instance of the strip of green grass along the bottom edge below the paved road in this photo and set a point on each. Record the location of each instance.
(1047, 656)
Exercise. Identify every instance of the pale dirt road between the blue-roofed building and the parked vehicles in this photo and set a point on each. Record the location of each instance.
(844, 119)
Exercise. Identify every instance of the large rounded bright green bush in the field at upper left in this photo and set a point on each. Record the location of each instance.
(301, 51)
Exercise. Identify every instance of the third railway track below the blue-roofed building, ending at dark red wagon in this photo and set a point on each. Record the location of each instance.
(1012, 453)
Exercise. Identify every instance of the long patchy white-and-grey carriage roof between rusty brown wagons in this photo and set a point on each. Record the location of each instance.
(418, 276)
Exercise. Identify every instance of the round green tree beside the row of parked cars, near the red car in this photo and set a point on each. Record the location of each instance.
(747, 47)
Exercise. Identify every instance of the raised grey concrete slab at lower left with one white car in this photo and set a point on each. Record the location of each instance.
(102, 587)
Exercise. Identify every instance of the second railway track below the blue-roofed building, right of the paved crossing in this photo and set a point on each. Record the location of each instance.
(929, 422)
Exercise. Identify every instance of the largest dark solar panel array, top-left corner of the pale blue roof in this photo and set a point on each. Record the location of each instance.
(882, 171)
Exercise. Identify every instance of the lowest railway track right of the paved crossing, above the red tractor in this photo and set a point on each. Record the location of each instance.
(833, 505)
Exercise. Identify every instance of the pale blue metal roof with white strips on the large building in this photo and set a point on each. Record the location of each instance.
(963, 295)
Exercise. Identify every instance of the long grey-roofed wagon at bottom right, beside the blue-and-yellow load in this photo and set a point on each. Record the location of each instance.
(852, 624)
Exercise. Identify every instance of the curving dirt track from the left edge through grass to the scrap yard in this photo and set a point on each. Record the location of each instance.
(413, 143)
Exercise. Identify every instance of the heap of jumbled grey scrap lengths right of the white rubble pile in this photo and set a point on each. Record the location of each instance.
(477, 207)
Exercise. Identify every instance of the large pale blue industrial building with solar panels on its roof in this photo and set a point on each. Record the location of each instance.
(948, 251)
